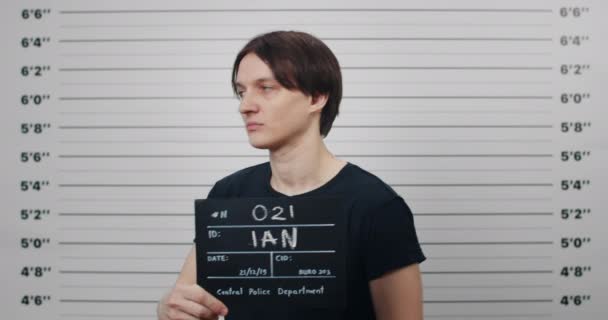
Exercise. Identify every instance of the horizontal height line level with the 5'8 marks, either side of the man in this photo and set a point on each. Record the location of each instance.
(508, 126)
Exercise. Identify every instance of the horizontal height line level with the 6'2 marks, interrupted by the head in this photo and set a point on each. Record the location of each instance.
(344, 68)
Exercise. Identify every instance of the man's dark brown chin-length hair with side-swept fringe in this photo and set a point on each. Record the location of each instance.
(299, 61)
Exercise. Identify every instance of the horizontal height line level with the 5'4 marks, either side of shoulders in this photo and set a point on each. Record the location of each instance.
(135, 185)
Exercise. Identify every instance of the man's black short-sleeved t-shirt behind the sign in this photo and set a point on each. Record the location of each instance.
(381, 234)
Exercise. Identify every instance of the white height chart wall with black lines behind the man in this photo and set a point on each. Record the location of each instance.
(487, 117)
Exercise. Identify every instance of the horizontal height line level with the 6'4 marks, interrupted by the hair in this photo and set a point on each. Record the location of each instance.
(324, 39)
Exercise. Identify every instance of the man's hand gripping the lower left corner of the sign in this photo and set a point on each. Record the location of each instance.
(189, 302)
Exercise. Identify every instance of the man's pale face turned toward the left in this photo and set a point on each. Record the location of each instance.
(274, 116)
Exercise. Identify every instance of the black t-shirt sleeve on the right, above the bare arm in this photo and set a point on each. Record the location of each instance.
(392, 241)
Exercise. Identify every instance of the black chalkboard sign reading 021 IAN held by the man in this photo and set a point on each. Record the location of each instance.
(272, 251)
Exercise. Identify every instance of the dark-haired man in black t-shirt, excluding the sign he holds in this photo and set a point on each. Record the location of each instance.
(289, 86)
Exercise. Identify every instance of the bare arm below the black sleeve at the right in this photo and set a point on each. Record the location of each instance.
(397, 295)
